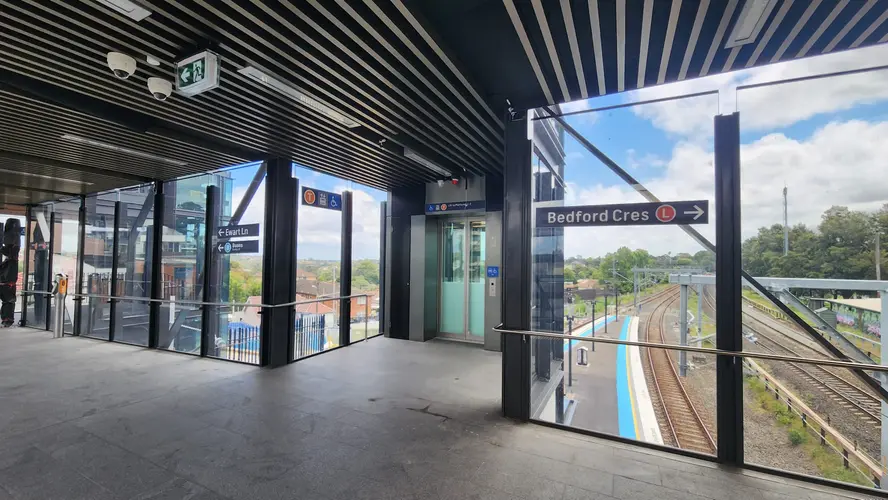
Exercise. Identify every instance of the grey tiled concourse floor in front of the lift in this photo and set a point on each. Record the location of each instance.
(387, 419)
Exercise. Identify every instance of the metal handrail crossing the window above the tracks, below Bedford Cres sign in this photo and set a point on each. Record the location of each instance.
(702, 350)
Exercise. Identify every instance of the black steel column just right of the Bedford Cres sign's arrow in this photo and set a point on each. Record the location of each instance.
(729, 370)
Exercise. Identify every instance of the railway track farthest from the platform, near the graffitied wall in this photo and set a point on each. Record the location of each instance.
(847, 394)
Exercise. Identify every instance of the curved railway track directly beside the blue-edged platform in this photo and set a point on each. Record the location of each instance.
(683, 422)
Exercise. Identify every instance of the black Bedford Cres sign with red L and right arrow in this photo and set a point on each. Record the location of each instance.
(626, 214)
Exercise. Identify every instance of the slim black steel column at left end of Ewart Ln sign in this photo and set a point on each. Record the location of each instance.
(209, 316)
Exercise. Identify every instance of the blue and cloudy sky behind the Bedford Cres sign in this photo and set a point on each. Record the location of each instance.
(825, 139)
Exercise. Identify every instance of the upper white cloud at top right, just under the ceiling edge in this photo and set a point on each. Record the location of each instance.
(767, 108)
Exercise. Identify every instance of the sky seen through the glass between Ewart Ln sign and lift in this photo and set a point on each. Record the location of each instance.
(319, 229)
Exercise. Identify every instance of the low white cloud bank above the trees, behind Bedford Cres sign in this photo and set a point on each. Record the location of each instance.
(839, 164)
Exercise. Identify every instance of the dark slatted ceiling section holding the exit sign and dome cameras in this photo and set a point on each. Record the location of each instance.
(364, 59)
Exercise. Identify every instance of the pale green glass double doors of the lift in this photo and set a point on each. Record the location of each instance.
(463, 253)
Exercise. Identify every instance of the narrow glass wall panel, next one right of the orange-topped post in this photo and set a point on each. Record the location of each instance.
(98, 256)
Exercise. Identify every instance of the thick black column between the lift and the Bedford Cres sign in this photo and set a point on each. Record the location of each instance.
(516, 269)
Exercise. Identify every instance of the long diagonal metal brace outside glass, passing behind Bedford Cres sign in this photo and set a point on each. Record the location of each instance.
(703, 241)
